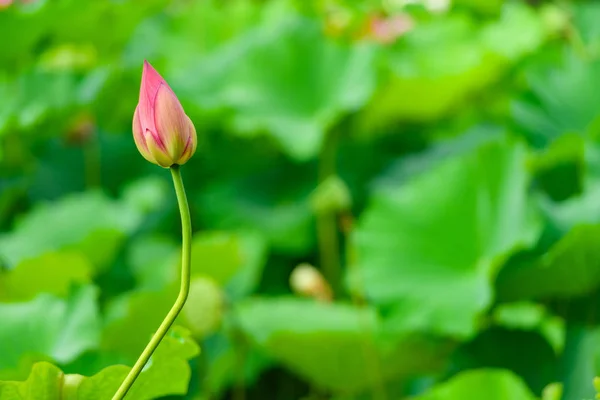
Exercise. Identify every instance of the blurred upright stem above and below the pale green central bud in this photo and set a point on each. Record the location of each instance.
(327, 230)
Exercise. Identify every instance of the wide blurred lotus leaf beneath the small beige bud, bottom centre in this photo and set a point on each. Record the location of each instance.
(335, 346)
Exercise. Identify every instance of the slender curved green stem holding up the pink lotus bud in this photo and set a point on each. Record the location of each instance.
(186, 230)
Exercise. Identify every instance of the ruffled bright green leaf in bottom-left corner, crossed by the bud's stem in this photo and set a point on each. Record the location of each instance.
(167, 373)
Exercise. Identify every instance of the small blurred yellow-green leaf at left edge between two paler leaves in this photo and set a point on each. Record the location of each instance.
(52, 273)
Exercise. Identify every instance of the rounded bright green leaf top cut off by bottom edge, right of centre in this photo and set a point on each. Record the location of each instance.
(489, 384)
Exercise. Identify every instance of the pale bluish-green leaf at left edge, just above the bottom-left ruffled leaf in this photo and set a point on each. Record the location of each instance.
(49, 326)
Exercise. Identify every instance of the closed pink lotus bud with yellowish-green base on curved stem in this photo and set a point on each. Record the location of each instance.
(163, 133)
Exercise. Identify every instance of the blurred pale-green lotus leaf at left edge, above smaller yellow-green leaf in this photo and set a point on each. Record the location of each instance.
(71, 223)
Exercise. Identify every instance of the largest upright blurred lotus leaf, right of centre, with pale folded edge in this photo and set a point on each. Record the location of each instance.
(428, 248)
